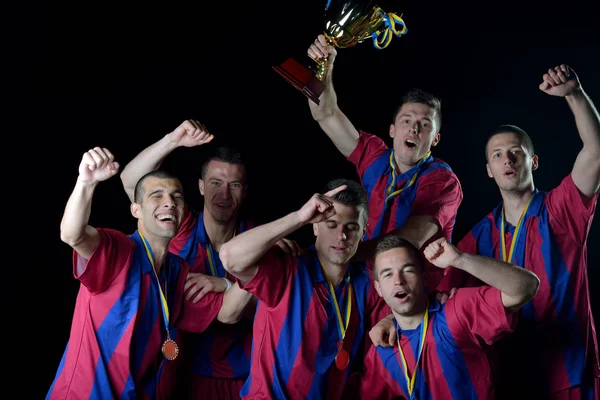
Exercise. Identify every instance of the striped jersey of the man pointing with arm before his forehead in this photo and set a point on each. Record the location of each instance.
(295, 328)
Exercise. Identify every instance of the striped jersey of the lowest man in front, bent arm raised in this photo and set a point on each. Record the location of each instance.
(453, 364)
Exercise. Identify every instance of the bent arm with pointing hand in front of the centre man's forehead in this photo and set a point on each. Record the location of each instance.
(241, 254)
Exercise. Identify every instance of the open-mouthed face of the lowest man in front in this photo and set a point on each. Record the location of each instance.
(400, 281)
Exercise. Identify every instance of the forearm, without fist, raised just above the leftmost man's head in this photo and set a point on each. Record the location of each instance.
(150, 159)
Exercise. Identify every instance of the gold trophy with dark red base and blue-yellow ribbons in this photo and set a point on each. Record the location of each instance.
(347, 23)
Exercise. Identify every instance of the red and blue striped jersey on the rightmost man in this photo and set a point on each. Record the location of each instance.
(555, 345)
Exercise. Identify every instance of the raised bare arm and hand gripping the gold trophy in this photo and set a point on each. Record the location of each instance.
(331, 119)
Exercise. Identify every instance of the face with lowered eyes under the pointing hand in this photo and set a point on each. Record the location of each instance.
(338, 237)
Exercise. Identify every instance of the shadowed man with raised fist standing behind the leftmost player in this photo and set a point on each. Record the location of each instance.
(217, 361)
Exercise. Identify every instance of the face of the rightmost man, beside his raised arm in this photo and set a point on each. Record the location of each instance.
(509, 162)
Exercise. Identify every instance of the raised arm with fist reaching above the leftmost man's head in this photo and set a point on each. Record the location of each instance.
(189, 134)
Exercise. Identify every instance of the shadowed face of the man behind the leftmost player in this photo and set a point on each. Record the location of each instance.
(223, 188)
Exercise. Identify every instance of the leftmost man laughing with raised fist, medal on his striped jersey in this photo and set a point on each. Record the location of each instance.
(131, 292)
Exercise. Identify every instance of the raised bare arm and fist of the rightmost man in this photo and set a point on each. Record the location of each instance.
(562, 81)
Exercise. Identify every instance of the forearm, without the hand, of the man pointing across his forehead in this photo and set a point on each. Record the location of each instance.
(244, 250)
